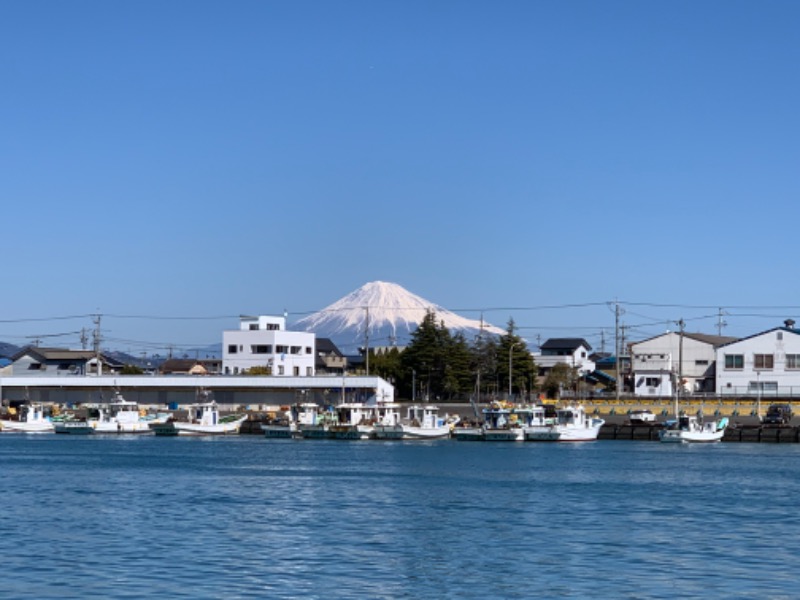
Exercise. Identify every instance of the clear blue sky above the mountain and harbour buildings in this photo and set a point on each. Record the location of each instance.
(205, 159)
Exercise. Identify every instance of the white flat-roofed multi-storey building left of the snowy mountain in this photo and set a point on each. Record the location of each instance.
(264, 342)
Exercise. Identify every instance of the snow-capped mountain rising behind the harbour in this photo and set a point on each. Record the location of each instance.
(392, 312)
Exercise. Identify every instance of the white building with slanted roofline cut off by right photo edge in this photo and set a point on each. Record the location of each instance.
(767, 363)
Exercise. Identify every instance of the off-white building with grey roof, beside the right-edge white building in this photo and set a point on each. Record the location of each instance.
(657, 362)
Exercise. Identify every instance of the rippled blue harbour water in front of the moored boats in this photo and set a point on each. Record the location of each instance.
(246, 517)
